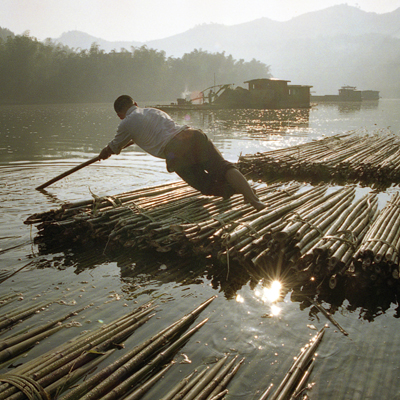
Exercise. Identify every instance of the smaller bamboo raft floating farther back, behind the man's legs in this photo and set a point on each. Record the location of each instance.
(357, 157)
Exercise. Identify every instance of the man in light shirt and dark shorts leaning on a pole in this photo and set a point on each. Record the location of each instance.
(187, 151)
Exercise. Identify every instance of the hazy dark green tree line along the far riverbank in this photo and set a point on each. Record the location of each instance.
(36, 72)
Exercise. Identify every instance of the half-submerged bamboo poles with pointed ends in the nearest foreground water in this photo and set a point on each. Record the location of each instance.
(77, 369)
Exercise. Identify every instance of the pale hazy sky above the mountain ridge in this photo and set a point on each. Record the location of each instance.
(154, 19)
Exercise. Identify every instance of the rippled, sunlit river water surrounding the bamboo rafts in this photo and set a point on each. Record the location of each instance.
(40, 142)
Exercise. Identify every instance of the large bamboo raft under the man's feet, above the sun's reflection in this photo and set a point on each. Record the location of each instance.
(325, 232)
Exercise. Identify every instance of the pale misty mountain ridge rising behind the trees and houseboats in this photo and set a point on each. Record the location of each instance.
(326, 49)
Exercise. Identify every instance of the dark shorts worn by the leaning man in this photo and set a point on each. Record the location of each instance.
(193, 156)
